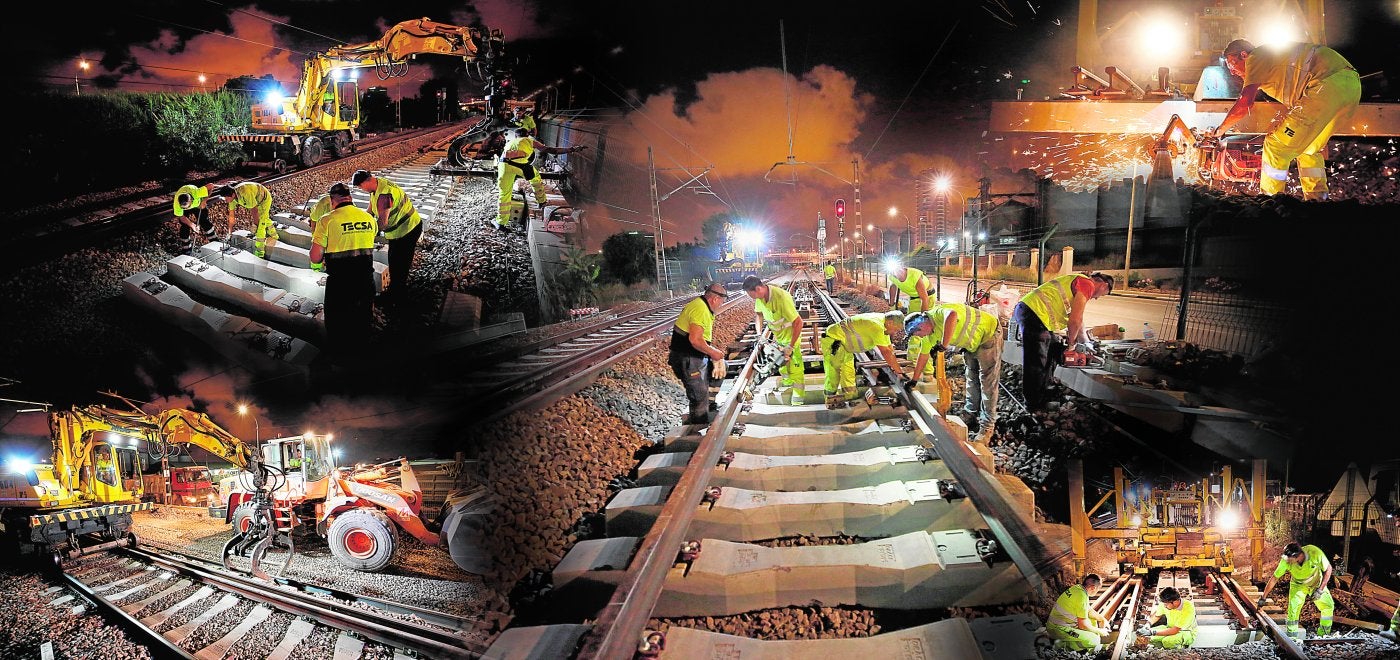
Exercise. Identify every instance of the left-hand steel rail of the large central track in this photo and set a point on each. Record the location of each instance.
(619, 626)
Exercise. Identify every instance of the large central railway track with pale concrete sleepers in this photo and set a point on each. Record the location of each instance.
(905, 514)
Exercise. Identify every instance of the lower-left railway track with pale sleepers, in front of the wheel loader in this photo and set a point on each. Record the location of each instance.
(185, 607)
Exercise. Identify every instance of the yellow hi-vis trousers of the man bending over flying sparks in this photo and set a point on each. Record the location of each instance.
(1304, 135)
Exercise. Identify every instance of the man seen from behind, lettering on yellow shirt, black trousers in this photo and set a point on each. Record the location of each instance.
(344, 242)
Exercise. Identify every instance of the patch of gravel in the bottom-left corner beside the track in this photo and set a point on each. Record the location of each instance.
(27, 621)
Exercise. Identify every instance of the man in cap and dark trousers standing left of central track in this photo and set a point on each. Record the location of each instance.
(692, 358)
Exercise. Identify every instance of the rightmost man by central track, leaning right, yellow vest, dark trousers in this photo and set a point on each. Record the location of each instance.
(1045, 310)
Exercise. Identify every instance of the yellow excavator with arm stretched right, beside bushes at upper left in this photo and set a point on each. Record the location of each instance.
(323, 118)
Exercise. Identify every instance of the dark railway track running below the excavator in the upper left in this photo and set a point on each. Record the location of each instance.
(92, 224)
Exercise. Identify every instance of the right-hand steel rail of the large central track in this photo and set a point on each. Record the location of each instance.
(1016, 536)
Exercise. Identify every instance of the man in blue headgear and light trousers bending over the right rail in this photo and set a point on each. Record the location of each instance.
(955, 327)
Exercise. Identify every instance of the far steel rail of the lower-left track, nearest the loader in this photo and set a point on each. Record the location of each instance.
(387, 630)
